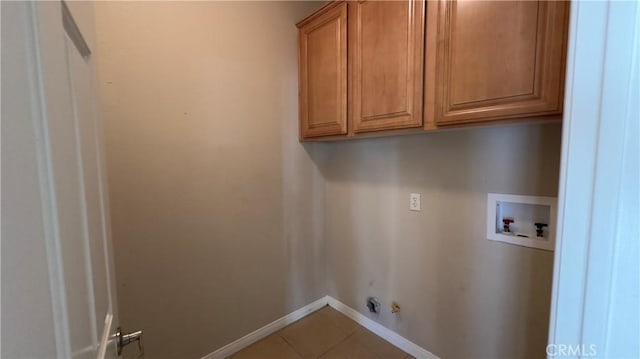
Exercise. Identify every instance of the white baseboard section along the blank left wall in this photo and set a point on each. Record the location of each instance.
(268, 329)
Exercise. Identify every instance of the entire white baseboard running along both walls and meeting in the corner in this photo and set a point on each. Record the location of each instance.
(377, 328)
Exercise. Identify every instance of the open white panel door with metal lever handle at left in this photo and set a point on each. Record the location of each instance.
(53, 72)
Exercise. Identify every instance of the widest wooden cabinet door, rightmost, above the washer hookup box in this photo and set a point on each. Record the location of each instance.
(499, 59)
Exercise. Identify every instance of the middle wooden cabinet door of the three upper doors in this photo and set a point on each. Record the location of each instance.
(386, 58)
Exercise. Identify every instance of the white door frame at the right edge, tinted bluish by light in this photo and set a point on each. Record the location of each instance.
(598, 195)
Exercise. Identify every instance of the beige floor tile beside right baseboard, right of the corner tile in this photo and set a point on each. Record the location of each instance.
(364, 344)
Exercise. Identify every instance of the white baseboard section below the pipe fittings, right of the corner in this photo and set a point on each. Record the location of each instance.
(381, 331)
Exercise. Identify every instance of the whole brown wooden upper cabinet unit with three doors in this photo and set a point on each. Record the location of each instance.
(370, 66)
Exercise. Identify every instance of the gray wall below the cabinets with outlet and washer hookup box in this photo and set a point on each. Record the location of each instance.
(460, 294)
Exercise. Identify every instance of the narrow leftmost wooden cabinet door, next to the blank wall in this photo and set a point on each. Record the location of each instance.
(323, 72)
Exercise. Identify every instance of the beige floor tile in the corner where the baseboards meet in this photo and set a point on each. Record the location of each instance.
(316, 334)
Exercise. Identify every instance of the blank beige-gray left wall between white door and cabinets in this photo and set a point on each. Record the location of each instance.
(216, 208)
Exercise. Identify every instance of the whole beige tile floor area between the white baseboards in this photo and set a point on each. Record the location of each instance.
(324, 334)
